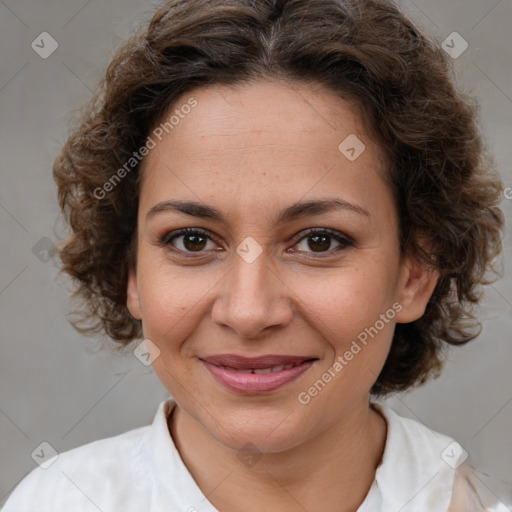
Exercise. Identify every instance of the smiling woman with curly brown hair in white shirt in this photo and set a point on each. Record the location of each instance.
(289, 201)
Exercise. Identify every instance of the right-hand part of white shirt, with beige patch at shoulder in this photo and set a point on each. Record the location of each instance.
(422, 469)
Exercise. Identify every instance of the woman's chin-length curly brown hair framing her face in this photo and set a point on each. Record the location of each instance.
(444, 182)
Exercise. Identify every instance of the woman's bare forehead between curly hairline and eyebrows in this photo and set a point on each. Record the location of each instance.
(258, 141)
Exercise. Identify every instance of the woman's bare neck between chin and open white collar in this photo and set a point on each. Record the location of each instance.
(332, 471)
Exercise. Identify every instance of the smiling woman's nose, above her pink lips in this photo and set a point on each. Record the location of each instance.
(252, 298)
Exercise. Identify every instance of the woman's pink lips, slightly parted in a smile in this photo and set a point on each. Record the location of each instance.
(255, 375)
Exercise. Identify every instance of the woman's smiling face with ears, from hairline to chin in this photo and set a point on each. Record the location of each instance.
(290, 256)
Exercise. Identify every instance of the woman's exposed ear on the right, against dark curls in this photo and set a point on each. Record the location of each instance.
(418, 282)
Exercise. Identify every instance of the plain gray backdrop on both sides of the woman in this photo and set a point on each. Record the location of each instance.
(56, 385)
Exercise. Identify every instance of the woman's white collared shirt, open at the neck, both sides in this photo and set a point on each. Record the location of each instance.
(142, 471)
